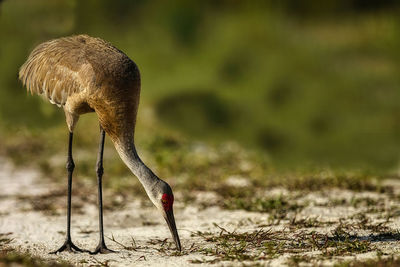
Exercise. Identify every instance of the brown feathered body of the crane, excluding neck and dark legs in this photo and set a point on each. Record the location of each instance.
(84, 74)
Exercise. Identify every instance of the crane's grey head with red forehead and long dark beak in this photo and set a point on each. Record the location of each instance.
(163, 199)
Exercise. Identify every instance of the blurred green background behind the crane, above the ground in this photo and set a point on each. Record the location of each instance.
(302, 83)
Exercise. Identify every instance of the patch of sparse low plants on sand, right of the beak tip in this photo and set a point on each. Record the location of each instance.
(268, 244)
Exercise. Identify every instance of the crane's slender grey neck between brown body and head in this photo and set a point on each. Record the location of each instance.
(127, 151)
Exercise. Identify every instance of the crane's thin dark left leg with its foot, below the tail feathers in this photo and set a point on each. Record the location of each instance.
(68, 245)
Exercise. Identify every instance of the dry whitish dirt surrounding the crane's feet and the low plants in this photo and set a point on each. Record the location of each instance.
(38, 232)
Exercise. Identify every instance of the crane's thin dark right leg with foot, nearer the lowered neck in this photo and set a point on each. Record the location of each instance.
(101, 247)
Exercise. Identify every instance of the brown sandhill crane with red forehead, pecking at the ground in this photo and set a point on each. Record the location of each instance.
(83, 74)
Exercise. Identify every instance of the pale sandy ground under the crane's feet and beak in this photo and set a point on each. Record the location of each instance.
(39, 233)
